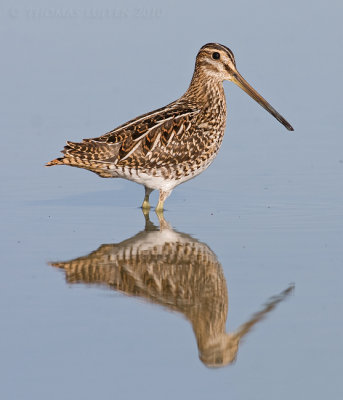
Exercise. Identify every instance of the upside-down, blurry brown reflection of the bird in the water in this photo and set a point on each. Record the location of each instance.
(176, 271)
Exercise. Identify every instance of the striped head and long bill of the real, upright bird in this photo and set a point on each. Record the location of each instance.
(217, 62)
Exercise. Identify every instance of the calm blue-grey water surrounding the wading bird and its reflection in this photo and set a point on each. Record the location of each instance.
(270, 206)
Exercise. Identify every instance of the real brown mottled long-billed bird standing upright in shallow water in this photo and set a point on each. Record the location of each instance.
(173, 144)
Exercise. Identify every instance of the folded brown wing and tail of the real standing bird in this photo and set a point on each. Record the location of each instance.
(135, 143)
